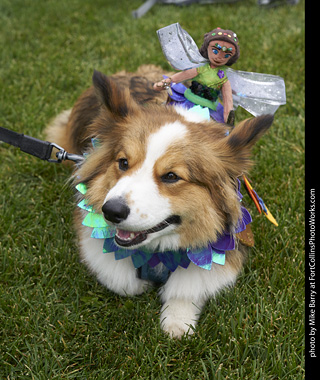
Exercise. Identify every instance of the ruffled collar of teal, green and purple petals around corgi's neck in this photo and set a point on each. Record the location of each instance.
(214, 252)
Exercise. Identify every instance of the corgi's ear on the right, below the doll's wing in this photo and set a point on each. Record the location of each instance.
(243, 137)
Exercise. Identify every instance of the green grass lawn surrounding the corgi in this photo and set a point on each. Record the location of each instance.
(56, 321)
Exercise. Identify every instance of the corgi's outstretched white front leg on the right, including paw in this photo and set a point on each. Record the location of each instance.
(187, 291)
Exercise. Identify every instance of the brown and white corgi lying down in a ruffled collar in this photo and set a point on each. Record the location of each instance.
(159, 185)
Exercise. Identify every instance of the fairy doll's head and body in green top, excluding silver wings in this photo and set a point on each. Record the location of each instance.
(221, 49)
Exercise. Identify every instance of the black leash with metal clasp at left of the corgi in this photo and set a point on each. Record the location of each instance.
(38, 148)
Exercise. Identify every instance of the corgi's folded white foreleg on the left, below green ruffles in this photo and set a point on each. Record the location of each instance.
(119, 276)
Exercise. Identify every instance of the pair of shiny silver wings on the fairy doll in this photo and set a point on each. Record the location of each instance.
(257, 93)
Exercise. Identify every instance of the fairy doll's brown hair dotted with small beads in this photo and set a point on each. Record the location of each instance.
(222, 35)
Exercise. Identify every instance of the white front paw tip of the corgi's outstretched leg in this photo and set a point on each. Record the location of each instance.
(179, 317)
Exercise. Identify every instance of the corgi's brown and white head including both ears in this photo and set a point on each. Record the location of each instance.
(166, 178)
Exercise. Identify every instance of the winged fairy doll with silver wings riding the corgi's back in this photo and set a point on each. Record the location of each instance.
(211, 75)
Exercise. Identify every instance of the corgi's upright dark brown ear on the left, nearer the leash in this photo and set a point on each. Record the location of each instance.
(117, 100)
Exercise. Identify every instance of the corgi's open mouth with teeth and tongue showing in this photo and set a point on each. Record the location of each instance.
(130, 238)
